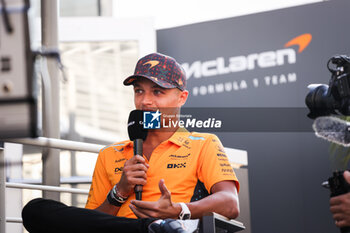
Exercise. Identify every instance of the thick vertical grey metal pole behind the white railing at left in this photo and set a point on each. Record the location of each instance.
(49, 38)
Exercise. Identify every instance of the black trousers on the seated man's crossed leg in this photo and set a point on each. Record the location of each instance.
(48, 216)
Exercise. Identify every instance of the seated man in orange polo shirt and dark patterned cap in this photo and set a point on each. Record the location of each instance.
(183, 174)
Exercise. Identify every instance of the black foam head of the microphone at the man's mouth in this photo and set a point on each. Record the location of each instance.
(135, 125)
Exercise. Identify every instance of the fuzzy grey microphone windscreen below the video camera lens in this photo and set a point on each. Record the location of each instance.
(333, 129)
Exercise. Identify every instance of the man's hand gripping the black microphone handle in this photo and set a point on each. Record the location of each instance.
(134, 173)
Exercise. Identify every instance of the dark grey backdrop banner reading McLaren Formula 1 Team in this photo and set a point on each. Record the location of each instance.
(264, 62)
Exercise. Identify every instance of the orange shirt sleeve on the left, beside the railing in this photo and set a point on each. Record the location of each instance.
(100, 185)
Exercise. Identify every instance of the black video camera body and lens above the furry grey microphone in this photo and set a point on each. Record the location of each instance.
(322, 99)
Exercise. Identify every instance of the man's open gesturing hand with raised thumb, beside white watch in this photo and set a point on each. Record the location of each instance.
(162, 209)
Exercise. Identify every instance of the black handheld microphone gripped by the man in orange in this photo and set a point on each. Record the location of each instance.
(137, 134)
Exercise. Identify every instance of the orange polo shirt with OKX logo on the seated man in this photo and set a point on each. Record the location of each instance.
(189, 163)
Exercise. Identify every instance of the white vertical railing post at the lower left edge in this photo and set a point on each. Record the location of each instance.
(2, 192)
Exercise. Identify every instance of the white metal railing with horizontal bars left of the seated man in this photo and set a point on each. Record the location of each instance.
(42, 142)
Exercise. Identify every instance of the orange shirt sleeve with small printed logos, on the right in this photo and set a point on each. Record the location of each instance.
(214, 164)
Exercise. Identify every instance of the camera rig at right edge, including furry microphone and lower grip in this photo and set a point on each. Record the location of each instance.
(333, 99)
